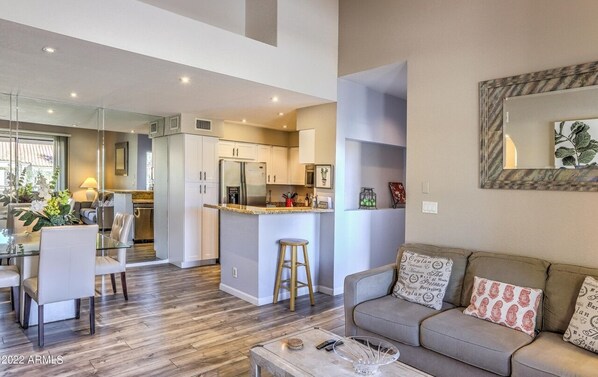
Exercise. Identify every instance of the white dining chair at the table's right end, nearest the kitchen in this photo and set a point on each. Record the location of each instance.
(108, 265)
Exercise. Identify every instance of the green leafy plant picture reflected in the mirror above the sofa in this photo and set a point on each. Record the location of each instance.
(584, 147)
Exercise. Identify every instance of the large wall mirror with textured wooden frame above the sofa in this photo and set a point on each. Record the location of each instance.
(539, 130)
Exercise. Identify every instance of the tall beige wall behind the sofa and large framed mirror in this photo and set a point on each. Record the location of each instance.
(450, 47)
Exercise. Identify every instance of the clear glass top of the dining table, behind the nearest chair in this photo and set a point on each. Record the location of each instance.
(27, 244)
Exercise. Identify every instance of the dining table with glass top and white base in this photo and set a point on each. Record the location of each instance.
(23, 250)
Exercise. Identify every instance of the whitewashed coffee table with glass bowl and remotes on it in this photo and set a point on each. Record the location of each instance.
(279, 360)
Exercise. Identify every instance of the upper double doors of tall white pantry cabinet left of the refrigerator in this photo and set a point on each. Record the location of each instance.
(201, 158)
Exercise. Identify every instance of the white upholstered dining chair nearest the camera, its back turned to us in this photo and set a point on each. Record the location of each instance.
(66, 272)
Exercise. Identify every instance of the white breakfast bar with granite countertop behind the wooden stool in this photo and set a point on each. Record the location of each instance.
(249, 247)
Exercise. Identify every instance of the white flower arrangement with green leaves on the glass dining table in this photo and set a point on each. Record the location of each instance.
(50, 207)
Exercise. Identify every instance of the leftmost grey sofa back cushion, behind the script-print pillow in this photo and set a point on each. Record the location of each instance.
(459, 258)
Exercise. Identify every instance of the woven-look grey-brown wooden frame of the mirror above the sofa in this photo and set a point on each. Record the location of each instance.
(492, 96)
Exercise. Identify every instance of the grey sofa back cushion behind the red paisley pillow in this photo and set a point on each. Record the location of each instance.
(512, 269)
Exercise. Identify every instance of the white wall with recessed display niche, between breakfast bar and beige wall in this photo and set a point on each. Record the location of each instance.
(365, 239)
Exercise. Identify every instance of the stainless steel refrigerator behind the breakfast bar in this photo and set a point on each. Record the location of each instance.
(243, 183)
